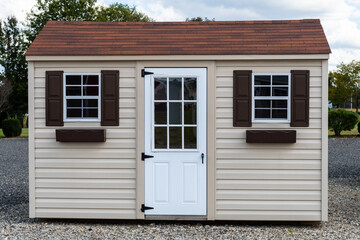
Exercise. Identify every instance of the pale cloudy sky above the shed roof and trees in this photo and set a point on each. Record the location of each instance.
(340, 18)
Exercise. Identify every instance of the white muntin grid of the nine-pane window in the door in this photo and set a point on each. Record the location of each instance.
(168, 125)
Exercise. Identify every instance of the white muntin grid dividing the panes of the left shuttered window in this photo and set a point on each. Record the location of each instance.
(82, 97)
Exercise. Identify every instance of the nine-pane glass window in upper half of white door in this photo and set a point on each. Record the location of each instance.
(175, 113)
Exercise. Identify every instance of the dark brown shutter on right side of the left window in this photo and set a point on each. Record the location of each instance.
(109, 98)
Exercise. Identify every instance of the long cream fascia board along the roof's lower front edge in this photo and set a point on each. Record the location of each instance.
(177, 57)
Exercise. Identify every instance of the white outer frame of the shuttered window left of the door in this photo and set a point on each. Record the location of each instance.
(66, 119)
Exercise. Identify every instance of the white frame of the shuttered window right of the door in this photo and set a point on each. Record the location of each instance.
(264, 120)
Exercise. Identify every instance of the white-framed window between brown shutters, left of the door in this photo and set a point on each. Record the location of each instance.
(81, 97)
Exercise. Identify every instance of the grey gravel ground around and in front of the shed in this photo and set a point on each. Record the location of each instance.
(344, 208)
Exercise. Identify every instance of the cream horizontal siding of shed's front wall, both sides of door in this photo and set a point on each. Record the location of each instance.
(252, 181)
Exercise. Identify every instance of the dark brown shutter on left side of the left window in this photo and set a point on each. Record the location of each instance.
(54, 98)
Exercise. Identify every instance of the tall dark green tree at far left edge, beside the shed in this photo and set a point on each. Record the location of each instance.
(12, 58)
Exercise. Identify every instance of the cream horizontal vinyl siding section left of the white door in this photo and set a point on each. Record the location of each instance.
(86, 180)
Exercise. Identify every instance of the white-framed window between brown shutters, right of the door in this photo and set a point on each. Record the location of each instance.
(271, 98)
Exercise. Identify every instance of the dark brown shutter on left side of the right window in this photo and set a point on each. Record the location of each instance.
(242, 98)
